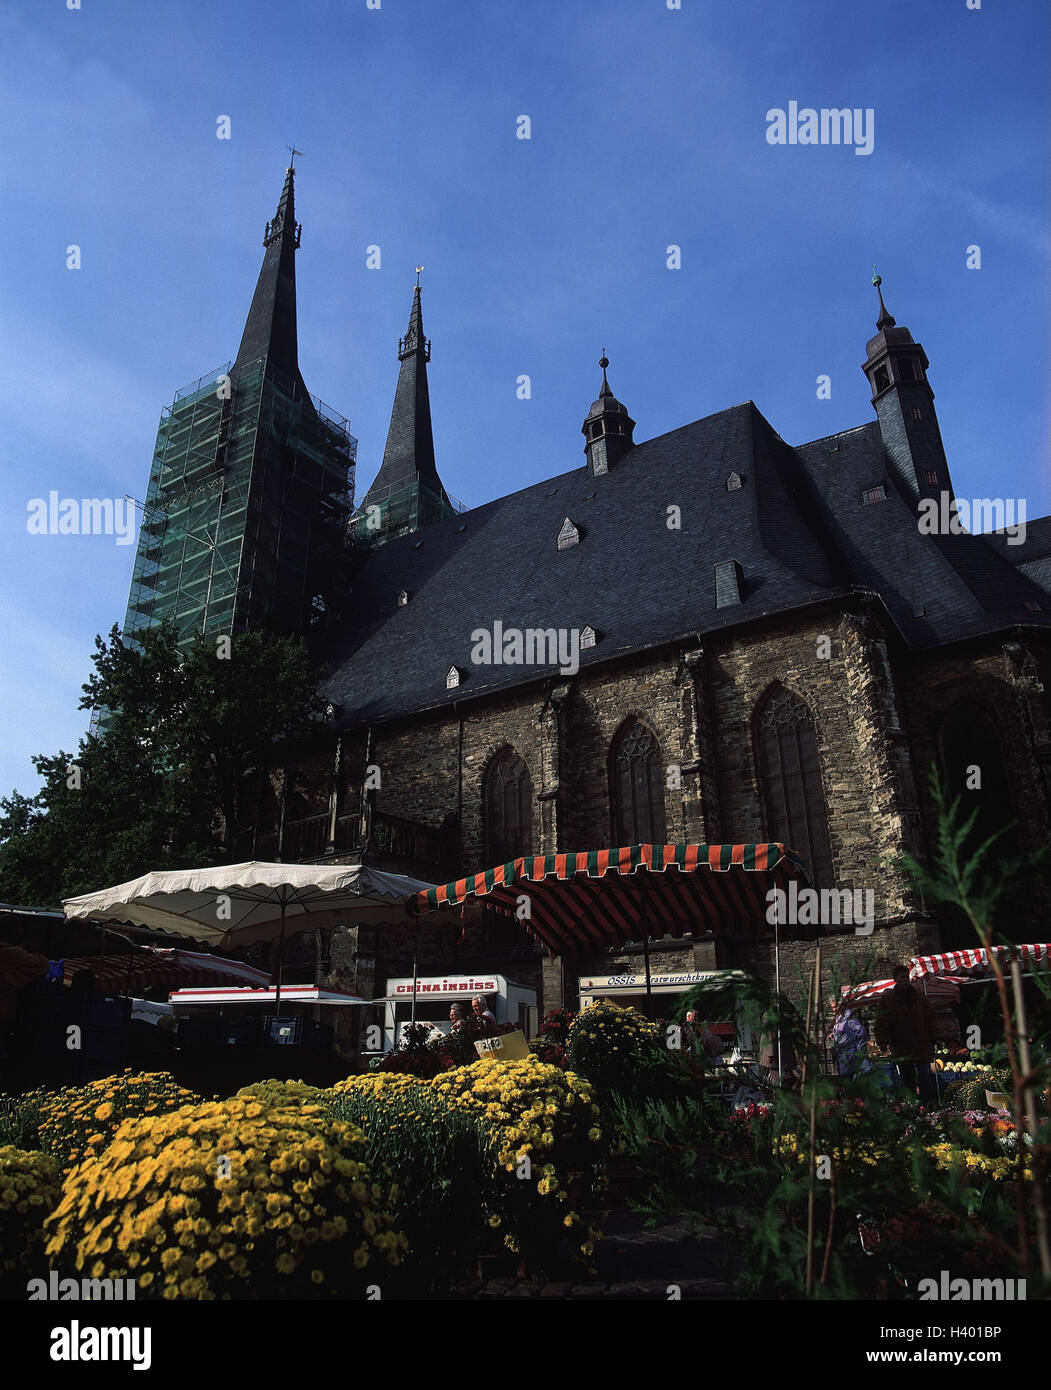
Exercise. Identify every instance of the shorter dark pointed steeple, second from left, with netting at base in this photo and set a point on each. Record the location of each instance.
(408, 489)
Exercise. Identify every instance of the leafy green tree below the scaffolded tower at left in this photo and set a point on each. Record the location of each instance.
(162, 785)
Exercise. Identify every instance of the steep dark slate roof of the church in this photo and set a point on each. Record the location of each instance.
(797, 529)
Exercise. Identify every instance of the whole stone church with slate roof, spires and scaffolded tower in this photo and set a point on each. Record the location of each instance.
(711, 636)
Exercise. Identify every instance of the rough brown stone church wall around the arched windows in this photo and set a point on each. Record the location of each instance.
(878, 719)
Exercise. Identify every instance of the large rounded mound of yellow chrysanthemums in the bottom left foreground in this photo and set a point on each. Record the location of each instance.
(229, 1200)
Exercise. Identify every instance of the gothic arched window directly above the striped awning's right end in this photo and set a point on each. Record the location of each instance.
(790, 775)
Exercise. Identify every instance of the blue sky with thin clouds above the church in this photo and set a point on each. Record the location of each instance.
(649, 130)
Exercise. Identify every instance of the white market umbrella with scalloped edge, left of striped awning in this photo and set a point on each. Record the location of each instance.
(234, 906)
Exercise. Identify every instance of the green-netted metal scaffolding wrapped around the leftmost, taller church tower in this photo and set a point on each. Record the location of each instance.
(250, 498)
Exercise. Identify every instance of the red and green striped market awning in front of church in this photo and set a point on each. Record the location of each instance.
(608, 897)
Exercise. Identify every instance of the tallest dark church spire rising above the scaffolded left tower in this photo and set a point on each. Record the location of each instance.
(272, 323)
